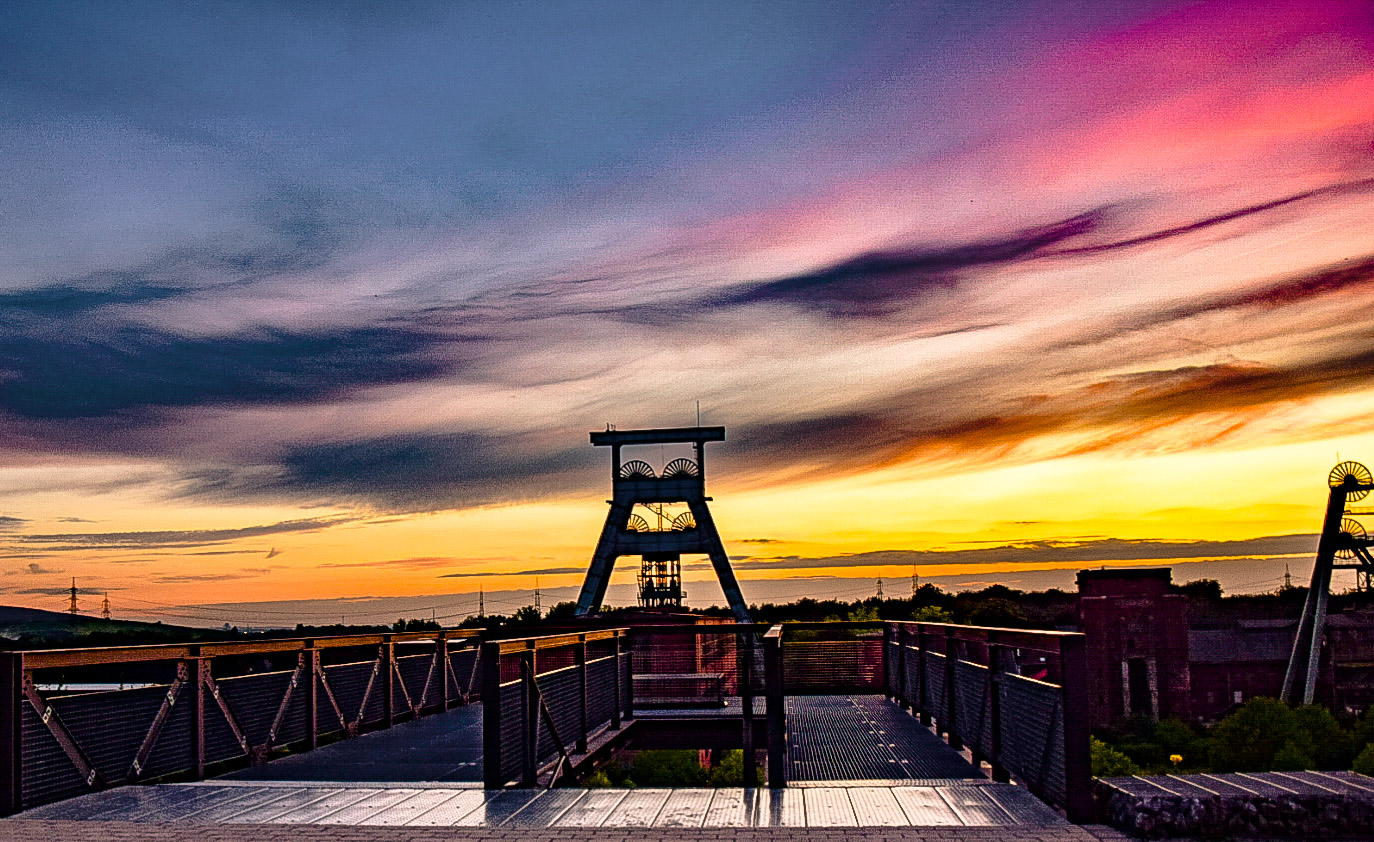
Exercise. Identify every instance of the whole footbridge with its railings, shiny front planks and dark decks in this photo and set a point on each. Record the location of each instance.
(842, 726)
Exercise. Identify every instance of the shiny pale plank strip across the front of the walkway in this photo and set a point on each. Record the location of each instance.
(951, 806)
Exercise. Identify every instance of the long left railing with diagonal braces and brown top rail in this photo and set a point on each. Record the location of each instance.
(192, 708)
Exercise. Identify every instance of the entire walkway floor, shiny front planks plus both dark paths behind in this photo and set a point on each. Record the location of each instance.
(855, 762)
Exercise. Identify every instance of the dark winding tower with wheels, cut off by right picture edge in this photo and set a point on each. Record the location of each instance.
(1344, 546)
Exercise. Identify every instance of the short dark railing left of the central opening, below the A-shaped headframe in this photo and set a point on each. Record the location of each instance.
(546, 698)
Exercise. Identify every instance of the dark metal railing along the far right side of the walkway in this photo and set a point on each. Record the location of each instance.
(1016, 698)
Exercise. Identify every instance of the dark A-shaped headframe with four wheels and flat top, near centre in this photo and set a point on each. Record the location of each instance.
(627, 534)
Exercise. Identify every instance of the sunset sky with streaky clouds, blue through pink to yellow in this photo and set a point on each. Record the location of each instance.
(315, 301)
